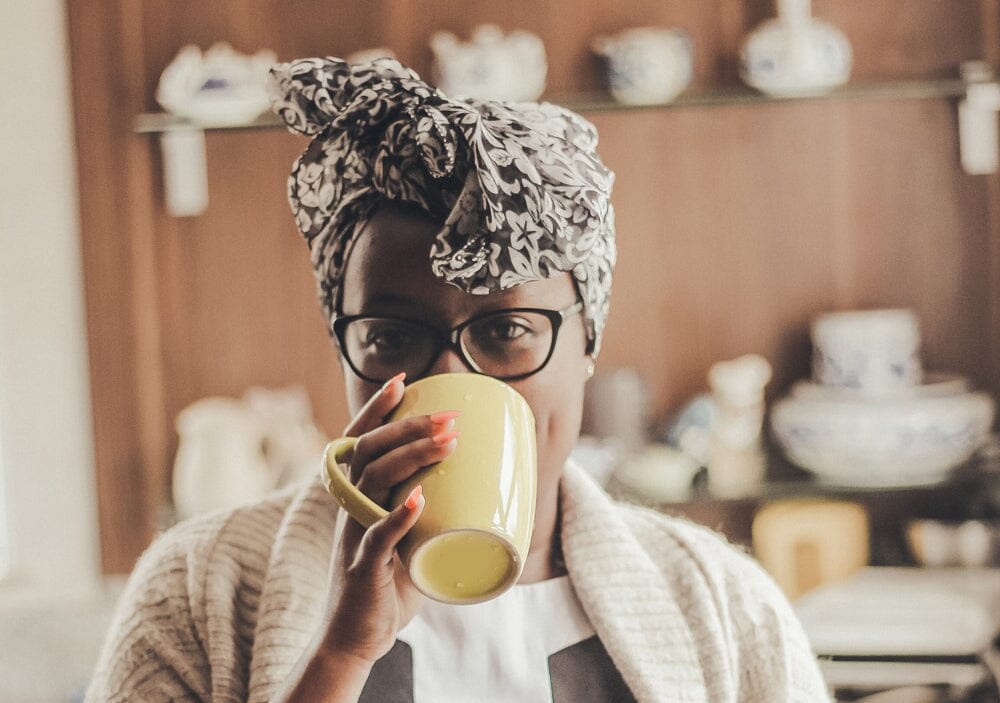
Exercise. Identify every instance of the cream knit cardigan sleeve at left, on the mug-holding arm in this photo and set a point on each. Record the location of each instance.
(154, 650)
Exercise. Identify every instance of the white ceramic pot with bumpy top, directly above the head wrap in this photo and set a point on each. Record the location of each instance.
(492, 66)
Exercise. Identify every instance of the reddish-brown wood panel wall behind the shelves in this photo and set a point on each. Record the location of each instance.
(736, 223)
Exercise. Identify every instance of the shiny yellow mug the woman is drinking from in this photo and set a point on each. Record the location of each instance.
(471, 540)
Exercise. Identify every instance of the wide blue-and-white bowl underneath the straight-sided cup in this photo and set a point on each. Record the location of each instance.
(898, 441)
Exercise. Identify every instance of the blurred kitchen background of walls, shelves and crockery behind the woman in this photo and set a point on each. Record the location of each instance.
(776, 162)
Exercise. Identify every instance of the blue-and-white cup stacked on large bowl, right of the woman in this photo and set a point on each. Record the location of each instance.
(871, 417)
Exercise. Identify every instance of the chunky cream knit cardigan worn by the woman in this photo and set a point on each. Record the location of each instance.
(220, 608)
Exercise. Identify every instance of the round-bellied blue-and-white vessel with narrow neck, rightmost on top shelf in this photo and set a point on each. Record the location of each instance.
(795, 54)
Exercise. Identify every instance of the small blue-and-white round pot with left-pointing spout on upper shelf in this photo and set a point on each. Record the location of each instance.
(646, 65)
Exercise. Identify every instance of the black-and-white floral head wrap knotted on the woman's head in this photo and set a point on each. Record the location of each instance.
(519, 186)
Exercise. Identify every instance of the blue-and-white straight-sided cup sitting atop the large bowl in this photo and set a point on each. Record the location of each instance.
(872, 351)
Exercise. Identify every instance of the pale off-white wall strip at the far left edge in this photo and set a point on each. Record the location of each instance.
(46, 455)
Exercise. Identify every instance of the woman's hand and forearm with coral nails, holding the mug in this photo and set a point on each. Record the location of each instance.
(371, 596)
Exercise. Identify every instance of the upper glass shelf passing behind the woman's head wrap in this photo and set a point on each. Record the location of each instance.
(157, 123)
